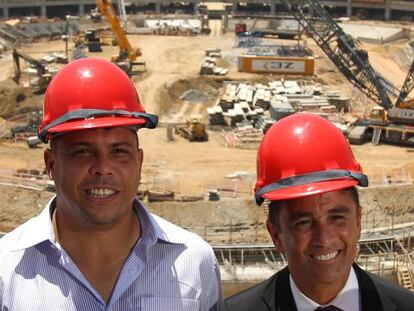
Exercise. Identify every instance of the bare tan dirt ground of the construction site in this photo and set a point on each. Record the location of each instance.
(172, 68)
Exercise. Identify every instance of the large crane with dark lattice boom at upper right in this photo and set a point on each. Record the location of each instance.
(392, 123)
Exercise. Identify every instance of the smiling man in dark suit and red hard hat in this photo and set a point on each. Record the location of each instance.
(307, 174)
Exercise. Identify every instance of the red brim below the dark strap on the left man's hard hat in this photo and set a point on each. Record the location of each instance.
(92, 123)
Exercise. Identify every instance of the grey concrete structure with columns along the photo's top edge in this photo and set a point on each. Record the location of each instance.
(389, 9)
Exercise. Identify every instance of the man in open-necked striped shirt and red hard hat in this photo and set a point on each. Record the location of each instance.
(94, 246)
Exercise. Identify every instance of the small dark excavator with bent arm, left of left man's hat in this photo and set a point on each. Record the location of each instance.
(42, 75)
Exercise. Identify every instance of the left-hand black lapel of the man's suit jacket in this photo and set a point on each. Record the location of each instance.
(278, 296)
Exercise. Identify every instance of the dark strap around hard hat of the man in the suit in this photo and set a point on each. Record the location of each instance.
(311, 178)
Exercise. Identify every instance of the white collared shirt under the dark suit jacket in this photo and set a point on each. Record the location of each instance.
(348, 298)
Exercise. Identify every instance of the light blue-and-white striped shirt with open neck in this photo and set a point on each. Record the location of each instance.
(168, 269)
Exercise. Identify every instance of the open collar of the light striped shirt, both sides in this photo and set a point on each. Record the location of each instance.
(40, 228)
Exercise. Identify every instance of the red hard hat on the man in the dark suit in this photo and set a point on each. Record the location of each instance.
(304, 154)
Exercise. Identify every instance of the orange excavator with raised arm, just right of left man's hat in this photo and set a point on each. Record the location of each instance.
(126, 59)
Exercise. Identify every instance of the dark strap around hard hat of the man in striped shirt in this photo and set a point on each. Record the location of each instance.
(151, 120)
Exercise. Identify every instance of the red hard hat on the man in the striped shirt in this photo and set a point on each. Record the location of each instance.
(91, 93)
